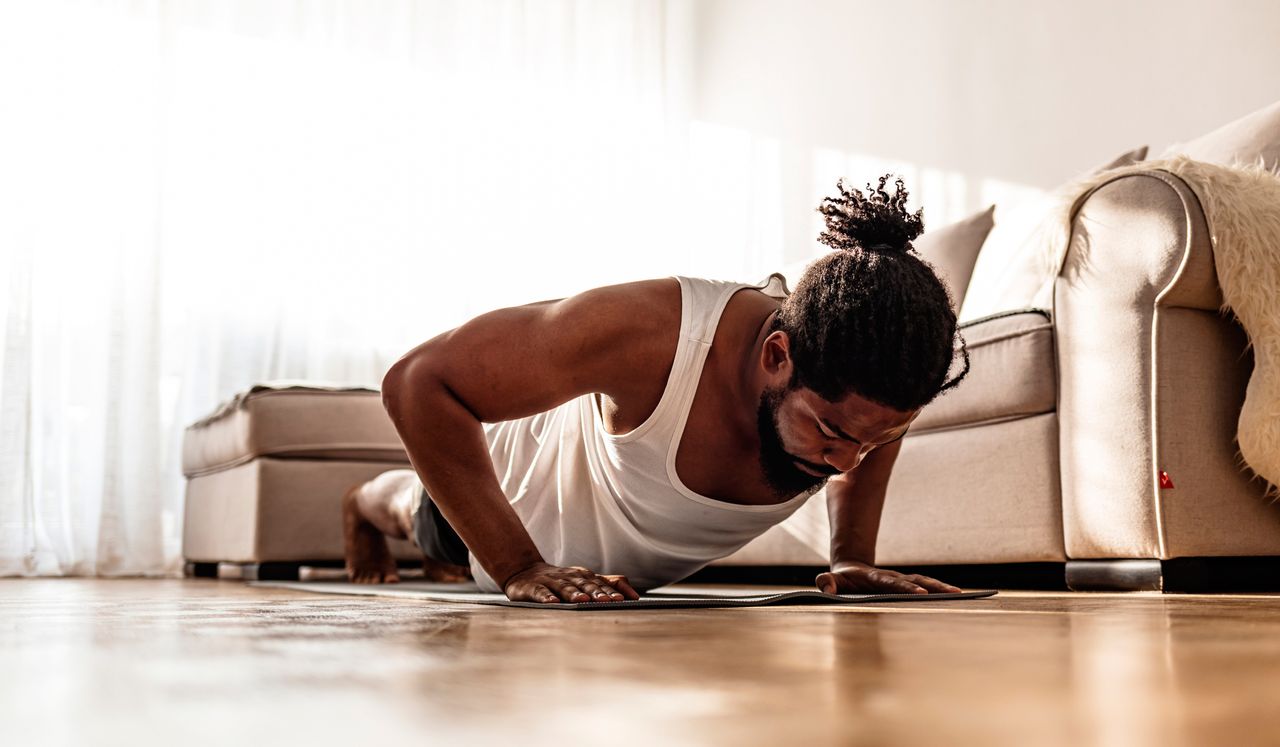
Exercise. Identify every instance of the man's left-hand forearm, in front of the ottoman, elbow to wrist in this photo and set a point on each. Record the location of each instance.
(447, 447)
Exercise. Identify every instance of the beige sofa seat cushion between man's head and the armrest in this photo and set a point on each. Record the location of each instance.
(1012, 374)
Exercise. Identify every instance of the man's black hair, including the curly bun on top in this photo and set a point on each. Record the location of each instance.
(872, 318)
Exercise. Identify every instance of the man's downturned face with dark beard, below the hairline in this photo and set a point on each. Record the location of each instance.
(806, 439)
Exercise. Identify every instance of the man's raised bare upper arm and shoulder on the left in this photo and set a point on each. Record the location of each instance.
(519, 361)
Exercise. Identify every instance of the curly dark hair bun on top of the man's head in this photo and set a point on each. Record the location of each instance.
(875, 223)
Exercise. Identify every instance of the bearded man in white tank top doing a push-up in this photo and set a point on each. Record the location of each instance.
(621, 439)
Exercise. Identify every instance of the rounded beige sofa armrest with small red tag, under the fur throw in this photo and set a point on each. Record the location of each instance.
(1150, 374)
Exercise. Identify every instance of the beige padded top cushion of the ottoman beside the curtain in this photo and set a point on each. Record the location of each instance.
(286, 419)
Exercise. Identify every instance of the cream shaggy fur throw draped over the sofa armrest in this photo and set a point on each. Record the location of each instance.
(1242, 208)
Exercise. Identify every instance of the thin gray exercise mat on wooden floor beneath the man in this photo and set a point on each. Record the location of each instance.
(662, 598)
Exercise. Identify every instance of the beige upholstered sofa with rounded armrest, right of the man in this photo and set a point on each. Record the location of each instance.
(1099, 434)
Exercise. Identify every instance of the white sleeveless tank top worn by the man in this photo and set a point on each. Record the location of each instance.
(615, 505)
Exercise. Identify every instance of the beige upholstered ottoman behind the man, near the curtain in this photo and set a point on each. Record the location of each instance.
(267, 473)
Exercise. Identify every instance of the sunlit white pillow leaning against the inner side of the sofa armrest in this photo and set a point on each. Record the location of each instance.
(1012, 271)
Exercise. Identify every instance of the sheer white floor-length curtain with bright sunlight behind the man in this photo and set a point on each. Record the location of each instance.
(198, 196)
